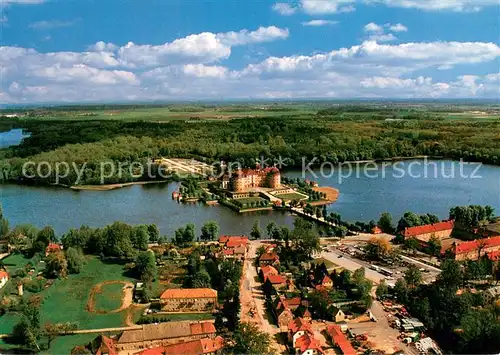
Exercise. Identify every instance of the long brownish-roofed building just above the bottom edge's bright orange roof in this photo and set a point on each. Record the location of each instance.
(162, 334)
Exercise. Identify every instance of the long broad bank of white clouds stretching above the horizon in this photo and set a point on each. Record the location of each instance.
(181, 70)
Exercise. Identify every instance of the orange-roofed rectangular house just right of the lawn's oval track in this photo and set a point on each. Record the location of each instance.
(189, 300)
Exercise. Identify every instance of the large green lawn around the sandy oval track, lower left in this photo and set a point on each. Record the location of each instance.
(66, 300)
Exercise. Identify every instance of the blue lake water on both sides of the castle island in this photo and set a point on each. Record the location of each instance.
(361, 198)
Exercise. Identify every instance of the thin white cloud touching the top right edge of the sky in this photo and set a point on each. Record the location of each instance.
(439, 5)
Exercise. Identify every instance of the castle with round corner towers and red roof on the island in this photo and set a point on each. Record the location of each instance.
(244, 179)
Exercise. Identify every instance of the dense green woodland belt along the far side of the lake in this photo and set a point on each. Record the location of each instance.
(334, 135)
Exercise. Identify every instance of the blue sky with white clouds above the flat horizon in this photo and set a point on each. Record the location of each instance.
(69, 51)
